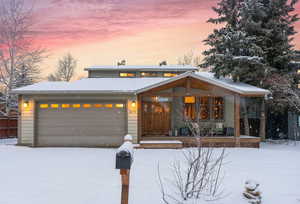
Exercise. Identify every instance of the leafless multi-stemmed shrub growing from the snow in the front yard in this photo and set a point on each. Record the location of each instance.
(197, 177)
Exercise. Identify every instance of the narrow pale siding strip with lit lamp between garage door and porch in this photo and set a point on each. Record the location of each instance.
(132, 120)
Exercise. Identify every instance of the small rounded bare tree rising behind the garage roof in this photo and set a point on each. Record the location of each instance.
(65, 69)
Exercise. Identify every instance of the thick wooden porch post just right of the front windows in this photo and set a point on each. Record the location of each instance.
(237, 115)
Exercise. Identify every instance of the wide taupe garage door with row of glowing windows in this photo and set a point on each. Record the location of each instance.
(80, 124)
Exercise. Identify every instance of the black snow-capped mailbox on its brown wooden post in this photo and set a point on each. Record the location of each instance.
(124, 159)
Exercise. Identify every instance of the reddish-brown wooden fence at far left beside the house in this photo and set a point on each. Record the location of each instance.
(8, 127)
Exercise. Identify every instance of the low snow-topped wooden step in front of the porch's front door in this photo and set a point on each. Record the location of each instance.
(161, 144)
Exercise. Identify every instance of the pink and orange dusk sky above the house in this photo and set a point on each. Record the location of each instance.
(101, 32)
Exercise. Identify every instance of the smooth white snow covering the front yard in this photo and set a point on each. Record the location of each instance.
(87, 175)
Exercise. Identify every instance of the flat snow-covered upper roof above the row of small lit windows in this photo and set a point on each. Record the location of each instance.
(144, 68)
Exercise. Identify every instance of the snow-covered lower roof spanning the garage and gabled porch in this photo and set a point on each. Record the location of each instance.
(133, 85)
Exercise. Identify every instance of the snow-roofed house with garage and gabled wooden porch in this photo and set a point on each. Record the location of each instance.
(152, 103)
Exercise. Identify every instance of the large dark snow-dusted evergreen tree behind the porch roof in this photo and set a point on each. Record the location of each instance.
(255, 40)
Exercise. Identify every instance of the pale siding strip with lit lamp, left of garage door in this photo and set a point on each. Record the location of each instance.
(27, 123)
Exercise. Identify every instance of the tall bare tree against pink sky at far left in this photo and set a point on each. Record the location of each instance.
(18, 58)
